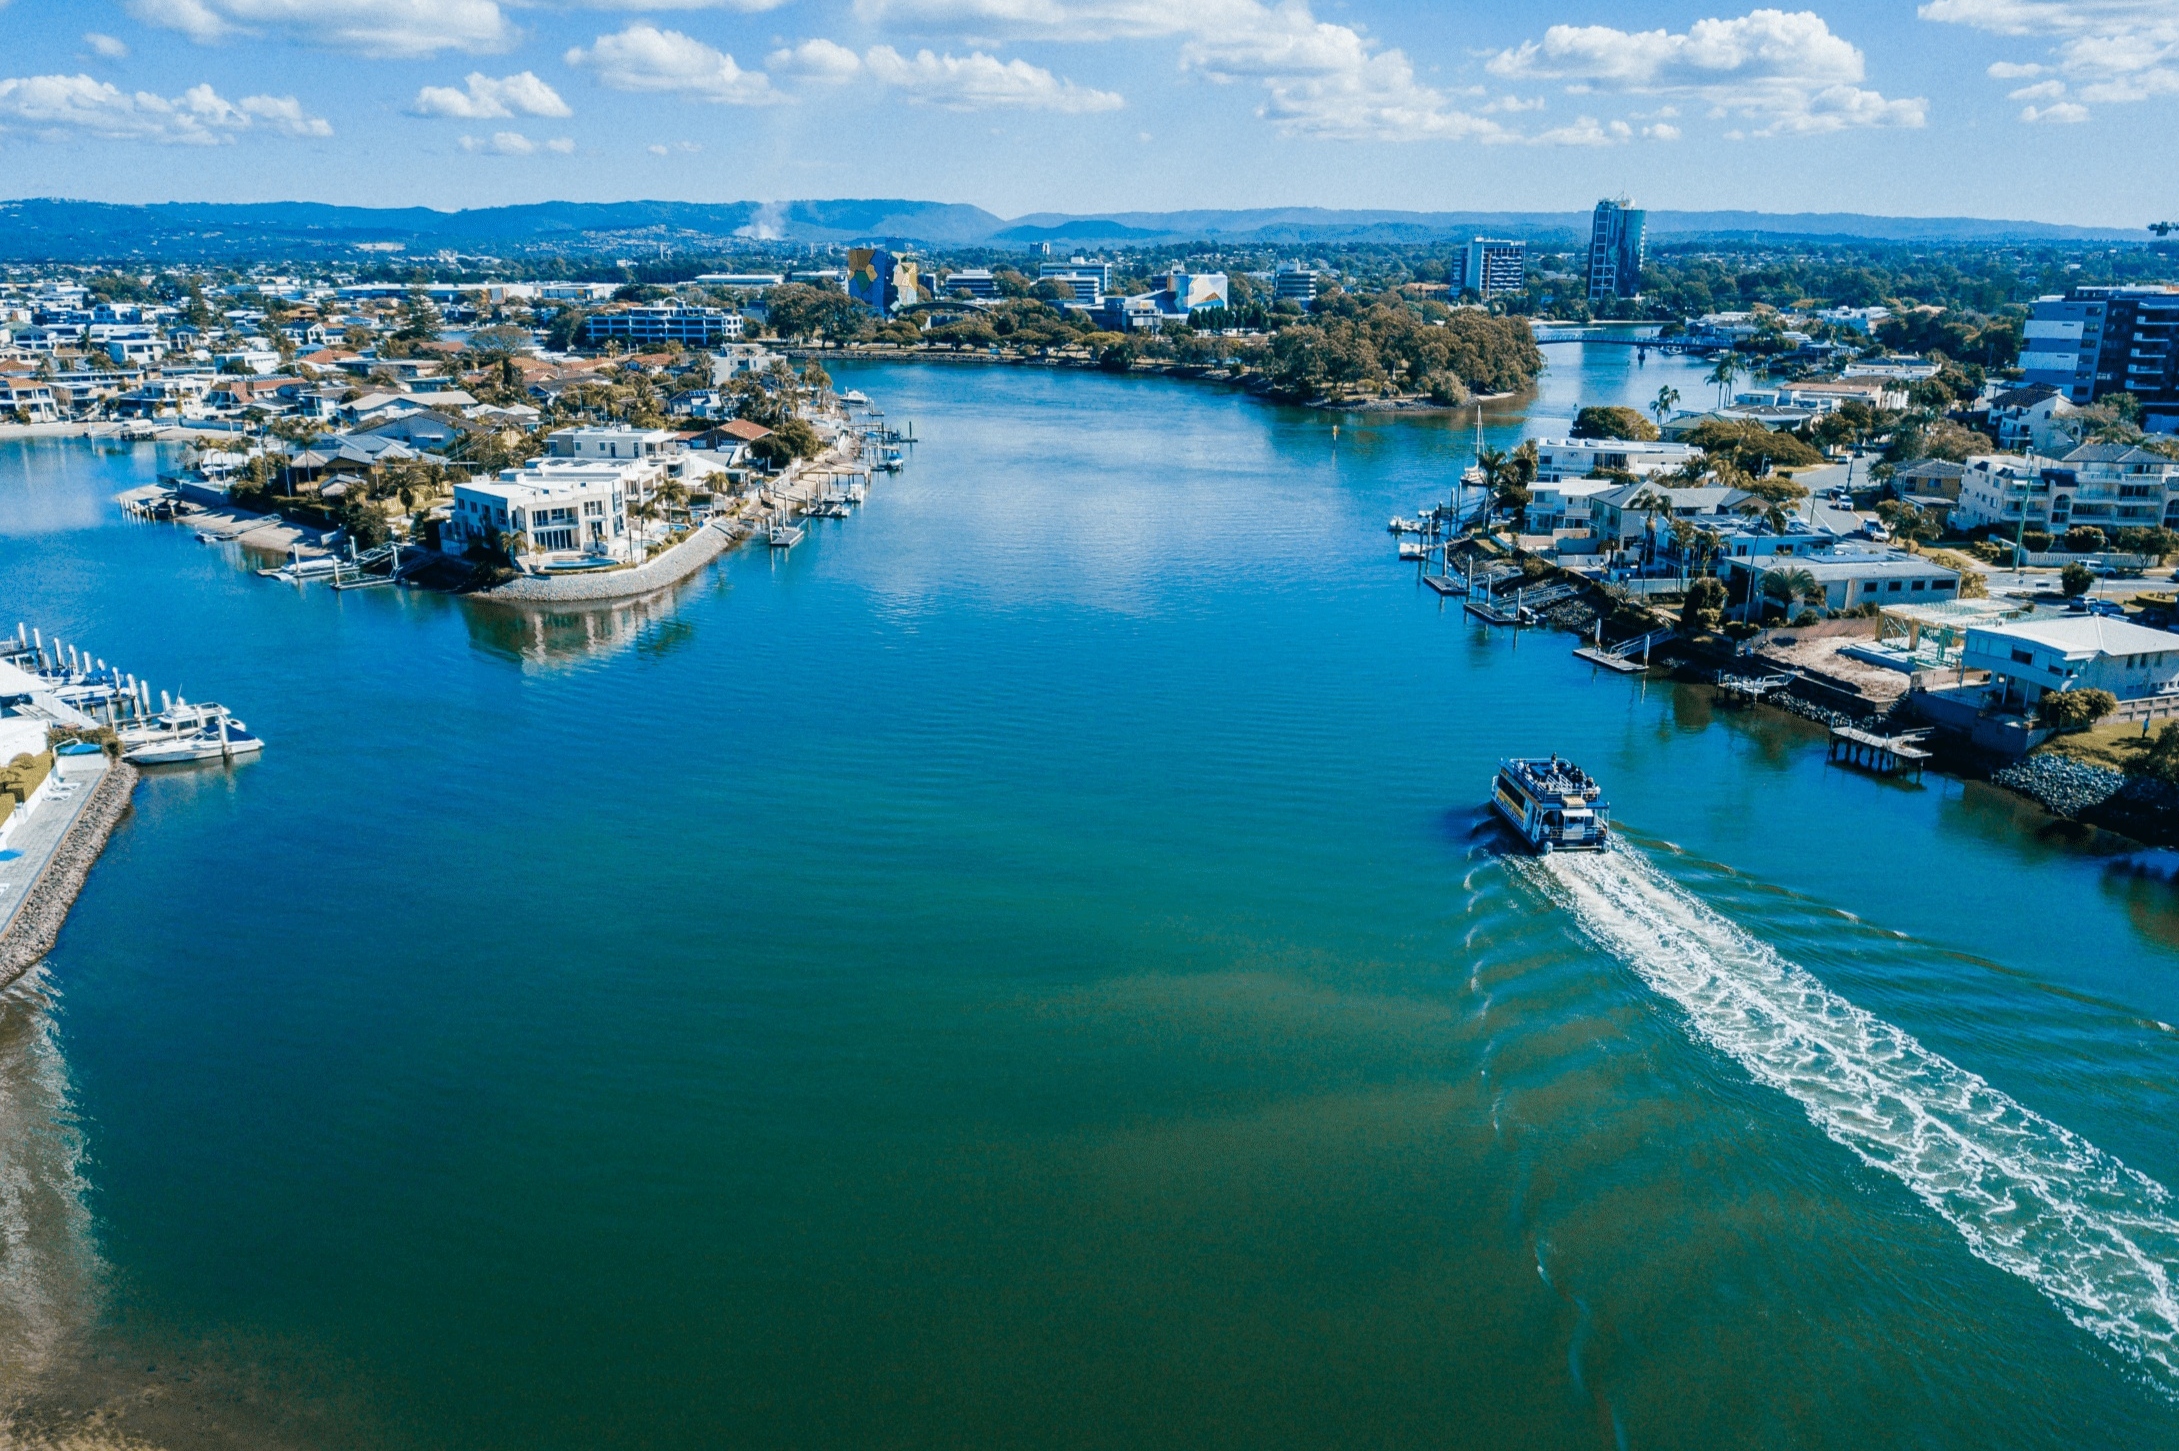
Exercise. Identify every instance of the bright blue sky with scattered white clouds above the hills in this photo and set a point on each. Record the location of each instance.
(2052, 110)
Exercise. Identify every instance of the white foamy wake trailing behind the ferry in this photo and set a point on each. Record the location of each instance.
(2028, 1195)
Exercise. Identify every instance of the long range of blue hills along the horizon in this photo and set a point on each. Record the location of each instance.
(47, 230)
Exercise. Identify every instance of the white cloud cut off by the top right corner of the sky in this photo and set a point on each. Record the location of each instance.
(2113, 51)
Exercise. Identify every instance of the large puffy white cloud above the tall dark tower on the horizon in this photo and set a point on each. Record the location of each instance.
(1786, 71)
